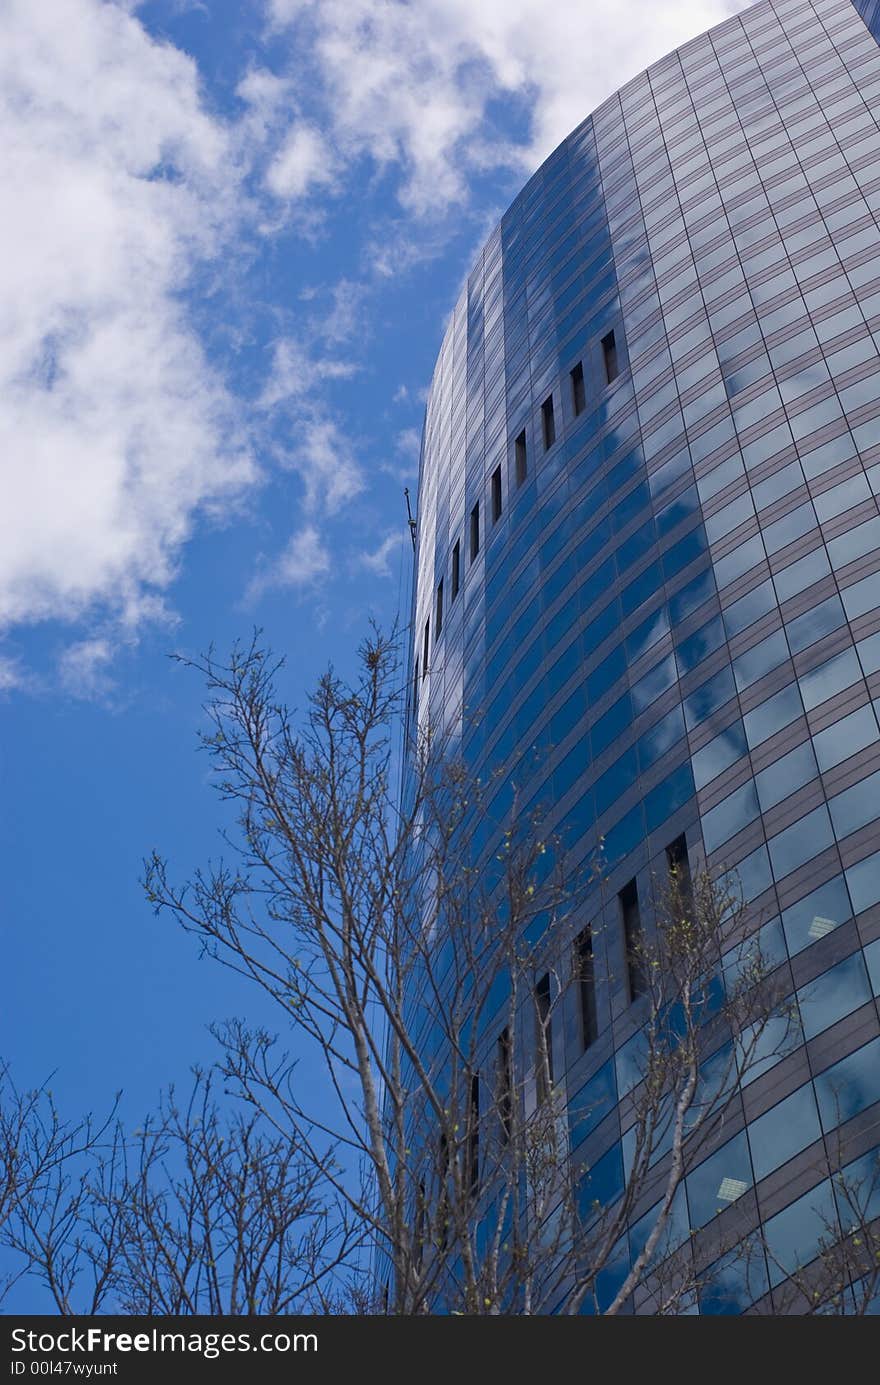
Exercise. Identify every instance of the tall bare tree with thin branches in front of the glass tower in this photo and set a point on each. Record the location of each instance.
(426, 984)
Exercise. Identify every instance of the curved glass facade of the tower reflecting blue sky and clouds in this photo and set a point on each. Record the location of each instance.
(648, 581)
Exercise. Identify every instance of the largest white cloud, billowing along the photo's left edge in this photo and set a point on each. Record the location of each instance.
(116, 431)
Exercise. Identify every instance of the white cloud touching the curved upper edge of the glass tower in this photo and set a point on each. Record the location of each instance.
(412, 84)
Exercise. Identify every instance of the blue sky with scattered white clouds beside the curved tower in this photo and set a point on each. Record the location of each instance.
(232, 238)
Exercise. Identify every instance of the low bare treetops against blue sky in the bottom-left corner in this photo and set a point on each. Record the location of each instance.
(199, 1213)
